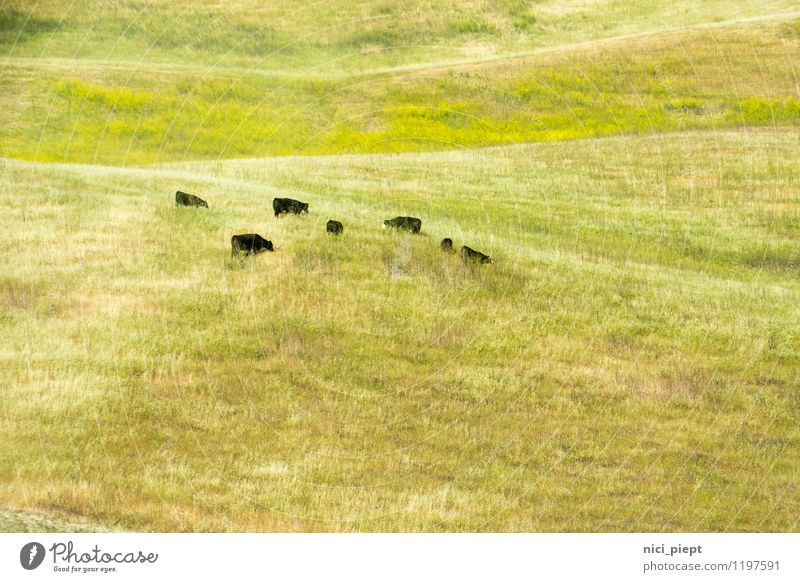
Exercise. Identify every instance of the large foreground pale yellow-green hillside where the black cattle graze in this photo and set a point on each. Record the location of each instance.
(629, 362)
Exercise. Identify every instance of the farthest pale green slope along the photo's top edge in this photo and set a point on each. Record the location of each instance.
(348, 35)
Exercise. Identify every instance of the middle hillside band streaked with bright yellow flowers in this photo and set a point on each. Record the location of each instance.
(94, 111)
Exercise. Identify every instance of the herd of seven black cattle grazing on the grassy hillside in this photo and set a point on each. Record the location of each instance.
(252, 243)
